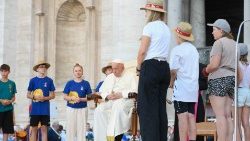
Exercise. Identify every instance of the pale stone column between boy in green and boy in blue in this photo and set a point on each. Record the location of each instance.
(23, 59)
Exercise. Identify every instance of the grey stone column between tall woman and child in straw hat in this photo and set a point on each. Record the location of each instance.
(174, 17)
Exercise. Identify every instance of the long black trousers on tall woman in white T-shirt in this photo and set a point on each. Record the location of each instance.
(153, 83)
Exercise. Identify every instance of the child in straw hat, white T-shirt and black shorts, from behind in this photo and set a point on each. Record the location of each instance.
(184, 66)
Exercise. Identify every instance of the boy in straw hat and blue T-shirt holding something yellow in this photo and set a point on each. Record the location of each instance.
(40, 90)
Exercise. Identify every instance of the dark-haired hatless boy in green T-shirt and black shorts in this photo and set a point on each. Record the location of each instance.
(7, 97)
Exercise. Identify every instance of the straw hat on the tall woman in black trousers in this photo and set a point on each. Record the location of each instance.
(154, 5)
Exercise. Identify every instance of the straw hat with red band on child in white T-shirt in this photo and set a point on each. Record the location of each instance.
(184, 31)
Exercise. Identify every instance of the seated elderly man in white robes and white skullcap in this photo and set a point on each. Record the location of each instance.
(112, 116)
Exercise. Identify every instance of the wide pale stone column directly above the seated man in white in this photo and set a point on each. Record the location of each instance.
(127, 31)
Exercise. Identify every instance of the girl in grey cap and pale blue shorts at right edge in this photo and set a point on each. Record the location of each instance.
(243, 96)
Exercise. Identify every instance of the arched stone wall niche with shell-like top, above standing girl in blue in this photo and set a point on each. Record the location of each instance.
(70, 40)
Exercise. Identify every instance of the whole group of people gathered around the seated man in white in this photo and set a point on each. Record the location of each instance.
(115, 95)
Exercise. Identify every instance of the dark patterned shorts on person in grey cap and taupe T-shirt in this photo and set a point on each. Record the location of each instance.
(223, 86)
